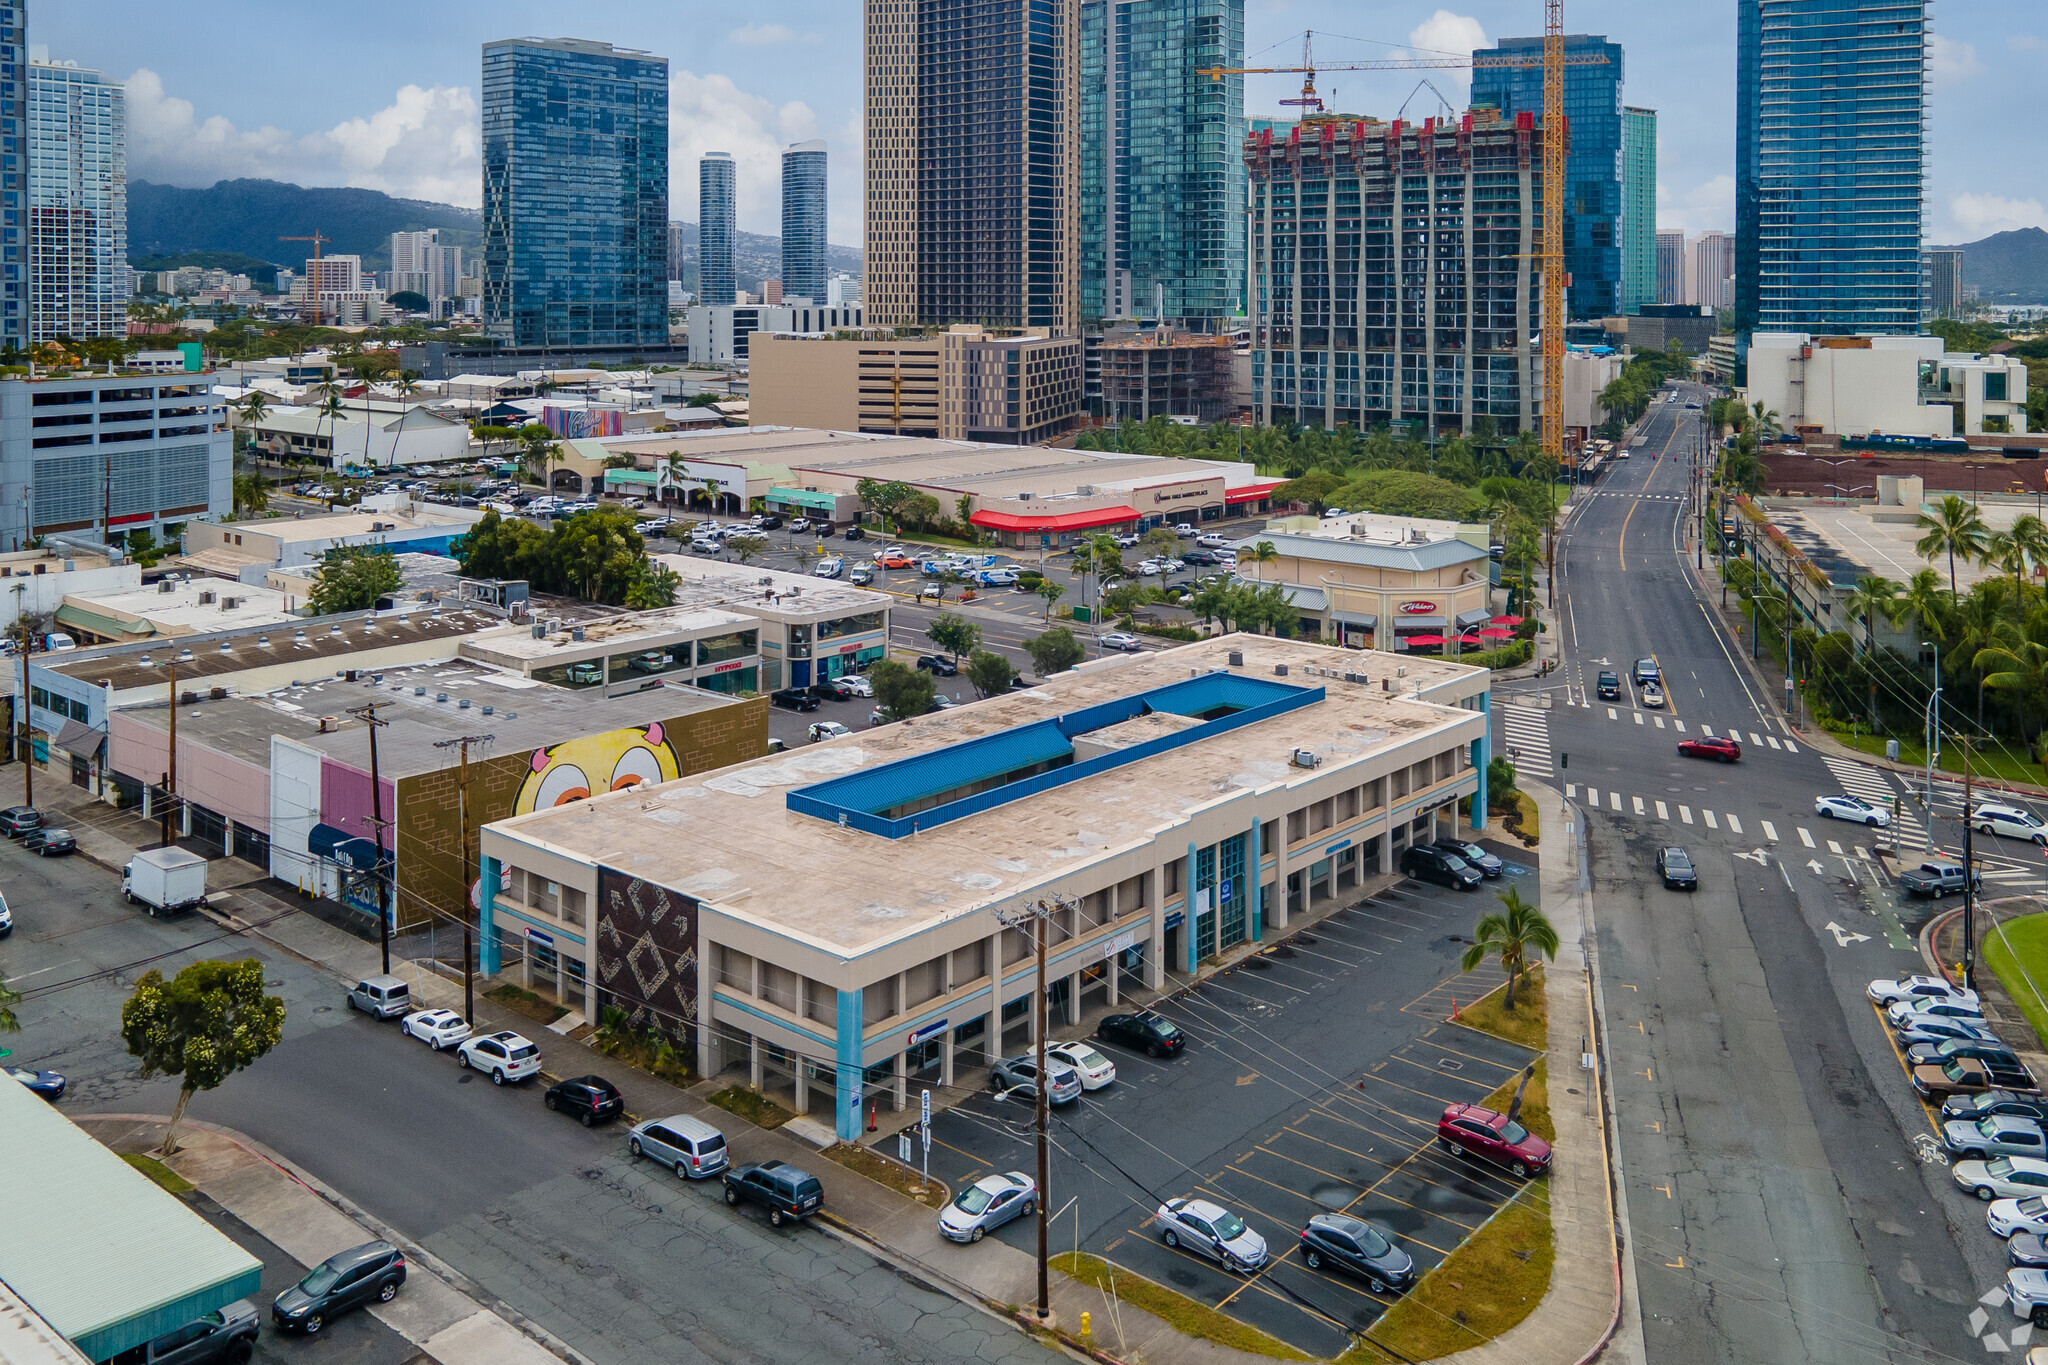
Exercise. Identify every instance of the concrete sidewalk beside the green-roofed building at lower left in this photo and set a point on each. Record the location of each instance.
(437, 1311)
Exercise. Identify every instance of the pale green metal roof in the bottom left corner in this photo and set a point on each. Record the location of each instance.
(95, 1245)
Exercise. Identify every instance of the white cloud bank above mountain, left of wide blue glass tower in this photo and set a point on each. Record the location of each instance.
(419, 146)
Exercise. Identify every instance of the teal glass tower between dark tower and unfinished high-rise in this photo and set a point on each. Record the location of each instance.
(1162, 179)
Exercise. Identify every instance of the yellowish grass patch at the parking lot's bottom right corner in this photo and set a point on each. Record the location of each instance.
(1488, 1286)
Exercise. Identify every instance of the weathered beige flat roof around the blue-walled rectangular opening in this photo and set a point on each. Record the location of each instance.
(732, 838)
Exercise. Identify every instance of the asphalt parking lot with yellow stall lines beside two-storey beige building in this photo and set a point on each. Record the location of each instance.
(1312, 1084)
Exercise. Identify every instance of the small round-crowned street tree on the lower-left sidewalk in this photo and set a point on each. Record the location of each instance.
(204, 1026)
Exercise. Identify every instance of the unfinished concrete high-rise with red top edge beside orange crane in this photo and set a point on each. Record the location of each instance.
(1394, 273)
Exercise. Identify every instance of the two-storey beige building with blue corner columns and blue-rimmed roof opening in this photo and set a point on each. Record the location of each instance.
(826, 920)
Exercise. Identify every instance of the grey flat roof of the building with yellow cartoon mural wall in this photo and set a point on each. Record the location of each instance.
(525, 715)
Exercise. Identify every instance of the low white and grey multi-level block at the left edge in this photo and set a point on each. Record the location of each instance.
(132, 451)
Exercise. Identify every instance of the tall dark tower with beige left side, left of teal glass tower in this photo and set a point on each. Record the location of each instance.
(974, 163)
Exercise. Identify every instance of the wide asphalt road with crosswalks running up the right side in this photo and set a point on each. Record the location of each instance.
(1777, 1206)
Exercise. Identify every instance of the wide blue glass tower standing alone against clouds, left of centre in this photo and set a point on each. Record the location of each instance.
(574, 195)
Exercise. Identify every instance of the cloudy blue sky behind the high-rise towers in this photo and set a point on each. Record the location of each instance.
(384, 95)
